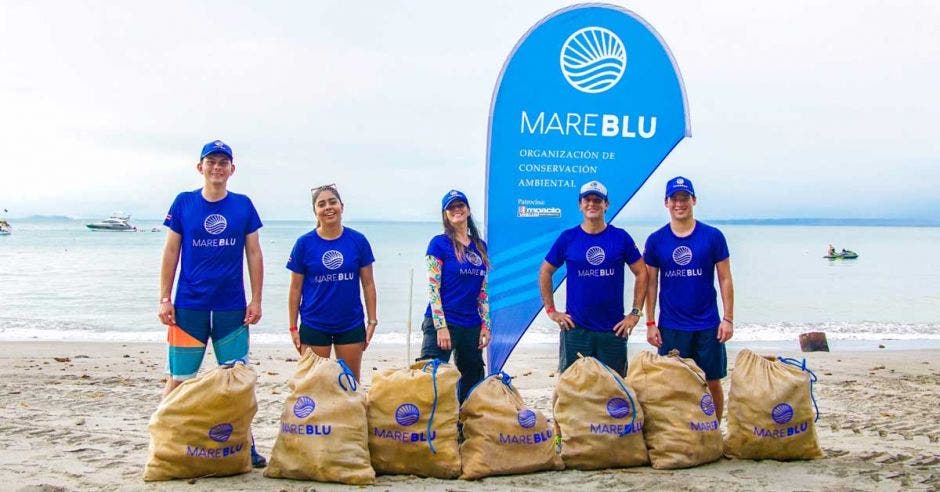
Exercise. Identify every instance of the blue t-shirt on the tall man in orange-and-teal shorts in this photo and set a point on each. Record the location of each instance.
(212, 249)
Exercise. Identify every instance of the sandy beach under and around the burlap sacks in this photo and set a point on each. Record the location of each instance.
(74, 417)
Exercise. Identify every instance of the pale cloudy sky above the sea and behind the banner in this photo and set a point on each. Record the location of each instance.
(798, 108)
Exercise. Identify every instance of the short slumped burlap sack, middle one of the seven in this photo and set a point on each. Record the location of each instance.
(501, 435)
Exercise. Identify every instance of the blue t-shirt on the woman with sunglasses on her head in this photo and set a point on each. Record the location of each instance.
(330, 301)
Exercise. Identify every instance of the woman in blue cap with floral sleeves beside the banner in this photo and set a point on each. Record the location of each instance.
(457, 318)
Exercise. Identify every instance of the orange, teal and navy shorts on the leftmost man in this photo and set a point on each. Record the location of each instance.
(187, 340)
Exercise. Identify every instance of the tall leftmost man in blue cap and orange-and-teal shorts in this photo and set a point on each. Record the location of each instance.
(211, 230)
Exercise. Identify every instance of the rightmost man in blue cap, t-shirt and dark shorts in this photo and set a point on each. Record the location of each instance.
(683, 258)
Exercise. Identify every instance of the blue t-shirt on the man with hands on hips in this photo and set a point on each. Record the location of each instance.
(595, 274)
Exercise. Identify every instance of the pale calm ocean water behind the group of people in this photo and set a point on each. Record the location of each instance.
(60, 281)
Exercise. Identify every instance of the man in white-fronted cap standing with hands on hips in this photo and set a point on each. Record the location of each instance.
(595, 254)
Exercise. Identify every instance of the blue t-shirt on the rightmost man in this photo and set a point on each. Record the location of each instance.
(687, 296)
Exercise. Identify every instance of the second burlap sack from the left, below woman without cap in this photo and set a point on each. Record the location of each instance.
(323, 432)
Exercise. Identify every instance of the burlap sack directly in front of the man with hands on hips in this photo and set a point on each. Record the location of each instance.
(597, 417)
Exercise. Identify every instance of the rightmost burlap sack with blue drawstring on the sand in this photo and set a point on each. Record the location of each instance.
(770, 411)
